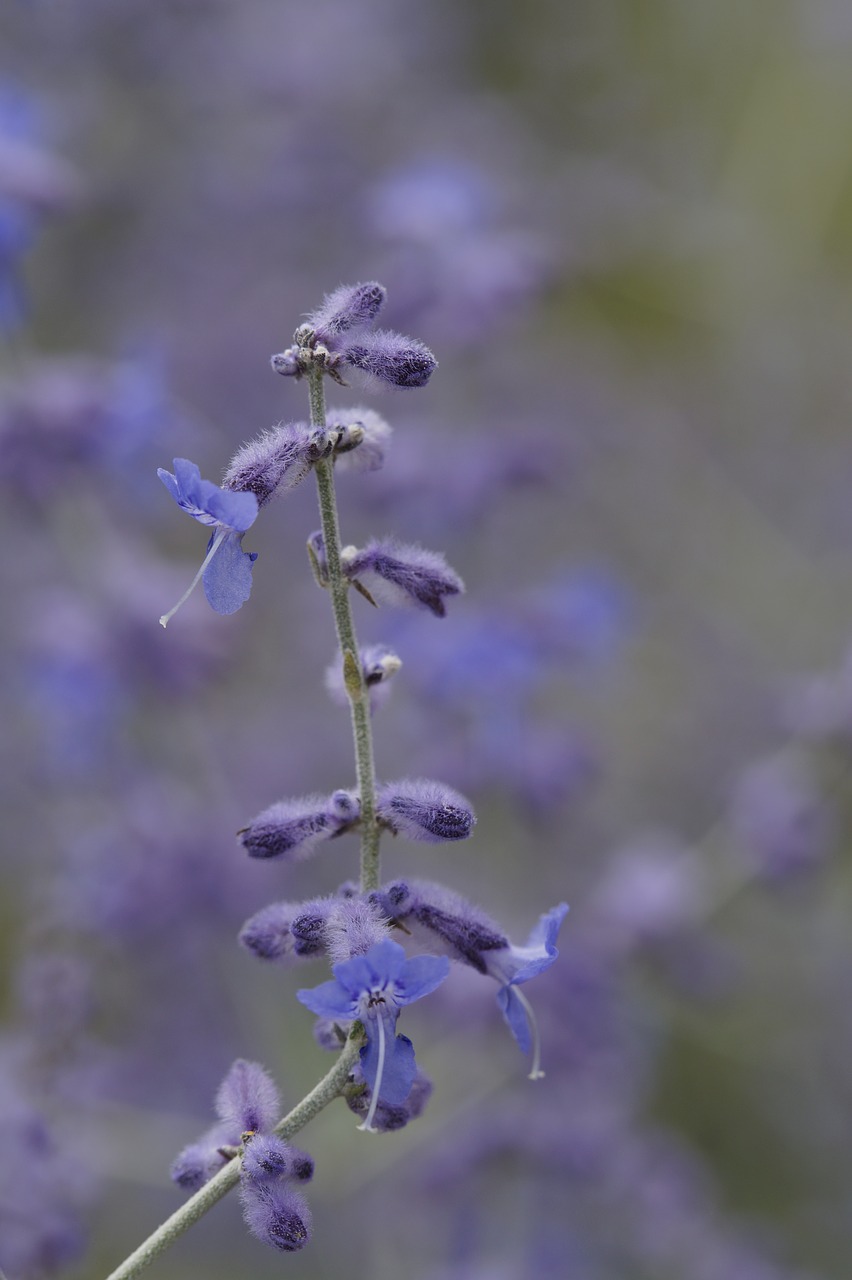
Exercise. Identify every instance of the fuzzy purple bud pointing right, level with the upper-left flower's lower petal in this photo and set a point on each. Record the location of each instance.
(404, 575)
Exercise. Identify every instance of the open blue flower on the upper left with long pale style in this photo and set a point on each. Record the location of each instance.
(227, 569)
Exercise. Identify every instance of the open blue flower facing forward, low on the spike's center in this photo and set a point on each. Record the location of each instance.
(374, 988)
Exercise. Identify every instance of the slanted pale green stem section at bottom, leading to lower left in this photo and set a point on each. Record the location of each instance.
(327, 1091)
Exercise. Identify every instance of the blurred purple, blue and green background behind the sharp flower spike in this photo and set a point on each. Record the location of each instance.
(626, 231)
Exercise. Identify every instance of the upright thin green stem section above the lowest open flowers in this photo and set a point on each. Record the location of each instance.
(352, 674)
